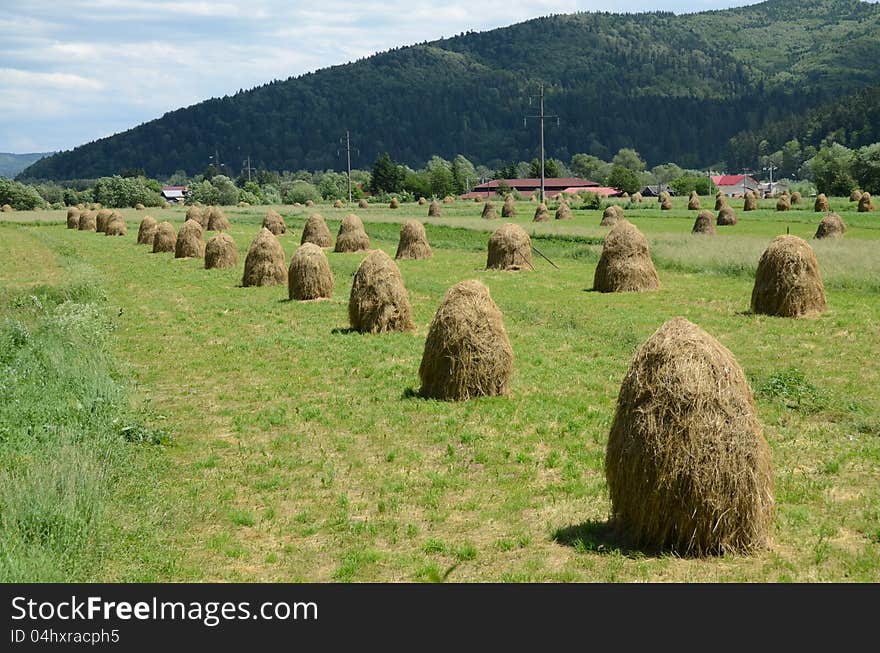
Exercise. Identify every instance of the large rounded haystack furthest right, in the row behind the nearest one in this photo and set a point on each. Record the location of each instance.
(788, 282)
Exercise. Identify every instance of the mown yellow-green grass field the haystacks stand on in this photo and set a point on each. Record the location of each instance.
(282, 448)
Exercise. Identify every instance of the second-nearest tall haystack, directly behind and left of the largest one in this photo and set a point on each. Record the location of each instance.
(467, 352)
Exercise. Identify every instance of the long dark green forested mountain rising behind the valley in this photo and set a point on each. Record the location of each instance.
(696, 89)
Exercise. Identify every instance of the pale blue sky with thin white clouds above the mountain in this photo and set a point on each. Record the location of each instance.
(72, 72)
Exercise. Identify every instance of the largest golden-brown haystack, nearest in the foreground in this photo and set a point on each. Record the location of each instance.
(687, 465)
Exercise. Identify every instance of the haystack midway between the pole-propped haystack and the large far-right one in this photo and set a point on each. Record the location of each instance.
(625, 264)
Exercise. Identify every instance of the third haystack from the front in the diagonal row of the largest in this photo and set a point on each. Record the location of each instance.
(378, 301)
